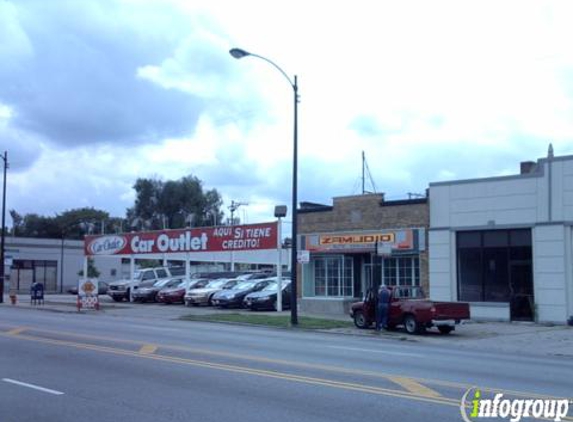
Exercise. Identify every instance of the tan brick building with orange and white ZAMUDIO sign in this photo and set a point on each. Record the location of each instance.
(342, 240)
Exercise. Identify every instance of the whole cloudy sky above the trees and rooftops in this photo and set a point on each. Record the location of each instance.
(95, 94)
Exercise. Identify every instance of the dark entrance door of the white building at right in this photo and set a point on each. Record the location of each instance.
(522, 303)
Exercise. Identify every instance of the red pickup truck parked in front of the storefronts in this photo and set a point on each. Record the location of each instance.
(410, 307)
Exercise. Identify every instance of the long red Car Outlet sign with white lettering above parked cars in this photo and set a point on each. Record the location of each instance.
(208, 239)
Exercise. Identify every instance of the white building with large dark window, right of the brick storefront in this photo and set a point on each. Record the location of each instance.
(504, 244)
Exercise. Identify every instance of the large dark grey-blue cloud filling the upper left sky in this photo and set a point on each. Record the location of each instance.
(74, 77)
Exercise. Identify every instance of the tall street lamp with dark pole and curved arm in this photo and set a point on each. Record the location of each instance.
(238, 53)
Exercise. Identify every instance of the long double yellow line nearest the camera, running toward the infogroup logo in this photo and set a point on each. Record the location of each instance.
(252, 371)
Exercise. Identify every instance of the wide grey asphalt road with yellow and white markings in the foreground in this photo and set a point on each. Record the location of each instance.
(78, 367)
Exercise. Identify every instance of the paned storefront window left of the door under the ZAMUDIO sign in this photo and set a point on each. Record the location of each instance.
(333, 276)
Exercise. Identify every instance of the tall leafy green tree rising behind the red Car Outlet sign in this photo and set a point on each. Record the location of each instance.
(174, 204)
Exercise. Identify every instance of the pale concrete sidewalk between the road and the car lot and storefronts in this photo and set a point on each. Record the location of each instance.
(515, 337)
